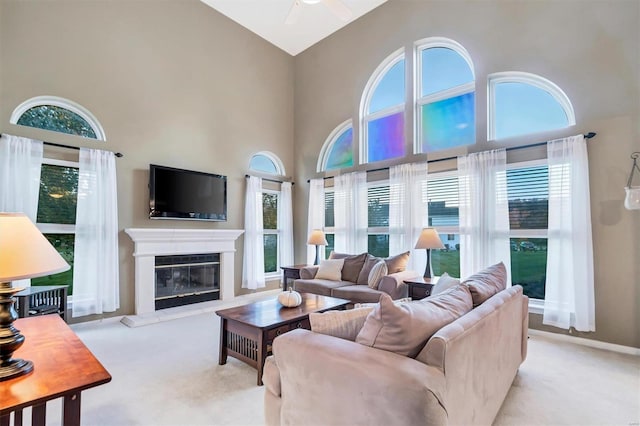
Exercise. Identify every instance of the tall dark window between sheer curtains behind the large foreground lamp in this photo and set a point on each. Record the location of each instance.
(57, 215)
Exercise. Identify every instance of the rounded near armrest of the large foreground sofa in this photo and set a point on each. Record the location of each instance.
(335, 381)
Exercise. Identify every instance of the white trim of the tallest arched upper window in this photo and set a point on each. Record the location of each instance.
(419, 100)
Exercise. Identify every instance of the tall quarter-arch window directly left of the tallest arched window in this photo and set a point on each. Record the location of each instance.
(382, 111)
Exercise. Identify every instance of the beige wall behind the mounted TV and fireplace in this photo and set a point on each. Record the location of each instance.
(172, 82)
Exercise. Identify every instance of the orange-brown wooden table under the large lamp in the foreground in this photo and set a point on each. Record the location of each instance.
(63, 368)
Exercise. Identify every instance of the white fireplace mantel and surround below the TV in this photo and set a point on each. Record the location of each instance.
(152, 243)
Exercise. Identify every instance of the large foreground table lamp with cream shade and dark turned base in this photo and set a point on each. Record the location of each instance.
(24, 253)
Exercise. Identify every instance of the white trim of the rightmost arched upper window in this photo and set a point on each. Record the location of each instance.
(525, 78)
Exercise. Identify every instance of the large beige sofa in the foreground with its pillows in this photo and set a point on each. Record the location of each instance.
(459, 376)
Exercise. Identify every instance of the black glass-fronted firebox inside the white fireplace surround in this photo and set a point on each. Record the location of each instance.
(185, 279)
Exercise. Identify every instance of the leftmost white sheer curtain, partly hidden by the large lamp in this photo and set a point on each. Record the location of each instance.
(20, 165)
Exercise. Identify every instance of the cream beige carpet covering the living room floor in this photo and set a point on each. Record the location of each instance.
(168, 374)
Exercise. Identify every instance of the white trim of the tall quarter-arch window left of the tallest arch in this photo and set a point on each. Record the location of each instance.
(365, 101)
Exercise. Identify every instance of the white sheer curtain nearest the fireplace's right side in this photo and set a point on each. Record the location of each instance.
(253, 259)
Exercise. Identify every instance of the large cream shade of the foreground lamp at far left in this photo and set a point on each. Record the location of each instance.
(24, 251)
